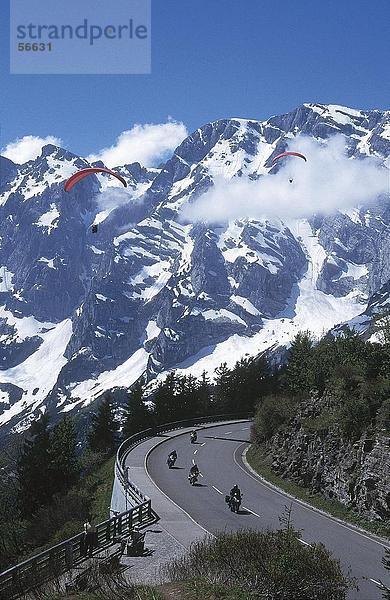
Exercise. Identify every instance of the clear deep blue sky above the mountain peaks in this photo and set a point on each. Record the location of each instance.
(212, 59)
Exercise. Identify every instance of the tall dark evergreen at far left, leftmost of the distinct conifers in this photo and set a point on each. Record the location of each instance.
(33, 468)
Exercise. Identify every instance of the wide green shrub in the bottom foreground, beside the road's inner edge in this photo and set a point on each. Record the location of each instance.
(264, 564)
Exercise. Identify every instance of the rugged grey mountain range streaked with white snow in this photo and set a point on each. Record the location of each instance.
(81, 312)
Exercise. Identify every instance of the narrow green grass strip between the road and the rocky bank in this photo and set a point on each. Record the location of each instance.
(261, 464)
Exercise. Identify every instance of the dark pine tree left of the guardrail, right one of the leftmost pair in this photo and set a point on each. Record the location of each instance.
(64, 464)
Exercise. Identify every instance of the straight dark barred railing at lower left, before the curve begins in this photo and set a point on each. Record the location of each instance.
(55, 561)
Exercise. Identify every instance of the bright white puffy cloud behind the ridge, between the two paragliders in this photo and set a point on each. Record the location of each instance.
(146, 144)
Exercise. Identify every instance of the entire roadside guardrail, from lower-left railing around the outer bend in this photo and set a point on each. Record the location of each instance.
(55, 561)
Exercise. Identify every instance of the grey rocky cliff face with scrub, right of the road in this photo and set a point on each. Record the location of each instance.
(357, 474)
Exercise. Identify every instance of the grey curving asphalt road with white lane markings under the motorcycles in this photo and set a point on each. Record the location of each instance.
(218, 453)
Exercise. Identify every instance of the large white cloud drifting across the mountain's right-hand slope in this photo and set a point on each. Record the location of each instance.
(327, 182)
